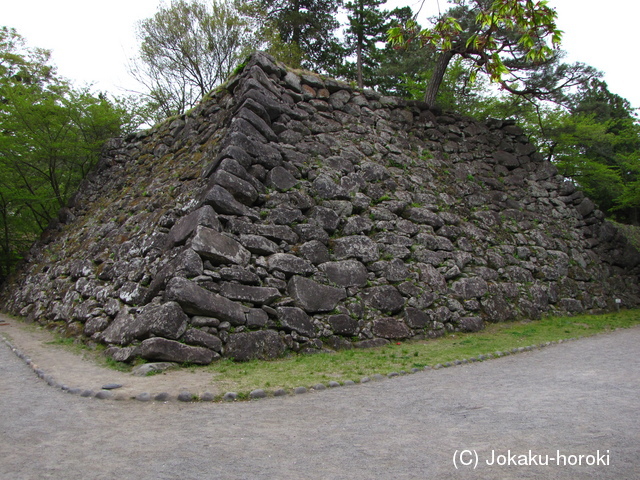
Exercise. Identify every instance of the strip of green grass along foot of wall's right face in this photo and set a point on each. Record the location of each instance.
(309, 370)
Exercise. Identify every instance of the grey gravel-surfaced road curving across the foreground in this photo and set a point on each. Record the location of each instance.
(580, 398)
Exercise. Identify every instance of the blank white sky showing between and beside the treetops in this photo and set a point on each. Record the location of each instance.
(92, 41)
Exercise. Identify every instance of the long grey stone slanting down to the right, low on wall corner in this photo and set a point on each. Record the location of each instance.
(196, 300)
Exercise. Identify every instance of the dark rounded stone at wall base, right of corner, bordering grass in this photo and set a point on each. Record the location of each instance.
(260, 345)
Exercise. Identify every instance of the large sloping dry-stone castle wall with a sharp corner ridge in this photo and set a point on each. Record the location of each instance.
(290, 212)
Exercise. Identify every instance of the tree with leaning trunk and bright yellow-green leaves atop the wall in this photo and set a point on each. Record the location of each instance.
(499, 38)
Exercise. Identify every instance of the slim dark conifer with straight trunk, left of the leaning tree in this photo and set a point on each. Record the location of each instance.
(367, 26)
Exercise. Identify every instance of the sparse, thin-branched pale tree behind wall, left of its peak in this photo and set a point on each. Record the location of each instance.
(186, 50)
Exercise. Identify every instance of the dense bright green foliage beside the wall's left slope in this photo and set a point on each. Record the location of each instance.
(50, 137)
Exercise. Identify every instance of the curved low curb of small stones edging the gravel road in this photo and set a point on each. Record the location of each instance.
(185, 396)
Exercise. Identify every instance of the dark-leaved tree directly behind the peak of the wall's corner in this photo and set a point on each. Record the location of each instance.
(300, 32)
